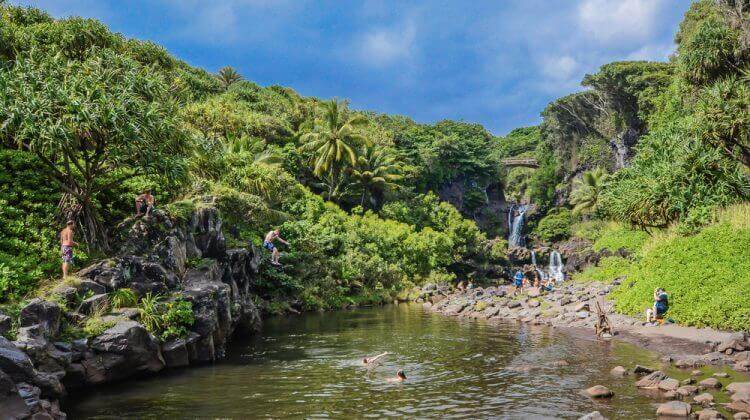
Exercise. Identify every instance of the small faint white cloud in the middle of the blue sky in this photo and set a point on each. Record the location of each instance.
(386, 45)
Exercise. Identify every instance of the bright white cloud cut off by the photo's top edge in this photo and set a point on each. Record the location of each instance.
(619, 20)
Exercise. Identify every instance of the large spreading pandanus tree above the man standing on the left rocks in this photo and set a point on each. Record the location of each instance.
(93, 123)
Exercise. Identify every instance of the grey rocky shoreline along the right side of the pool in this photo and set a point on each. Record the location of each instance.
(570, 306)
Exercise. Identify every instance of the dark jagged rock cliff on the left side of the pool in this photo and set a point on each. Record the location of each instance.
(157, 256)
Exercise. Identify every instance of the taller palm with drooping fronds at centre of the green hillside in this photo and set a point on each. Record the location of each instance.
(333, 143)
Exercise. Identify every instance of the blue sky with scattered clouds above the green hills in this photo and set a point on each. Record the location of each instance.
(497, 63)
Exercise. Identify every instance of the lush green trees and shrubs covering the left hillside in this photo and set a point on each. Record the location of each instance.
(89, 118)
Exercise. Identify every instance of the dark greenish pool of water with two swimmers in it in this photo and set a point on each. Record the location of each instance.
(310, 366)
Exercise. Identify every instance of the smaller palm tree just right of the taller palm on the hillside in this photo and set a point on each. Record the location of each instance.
(374, 173)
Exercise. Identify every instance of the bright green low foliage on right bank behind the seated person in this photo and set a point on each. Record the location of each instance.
(706, 276)
